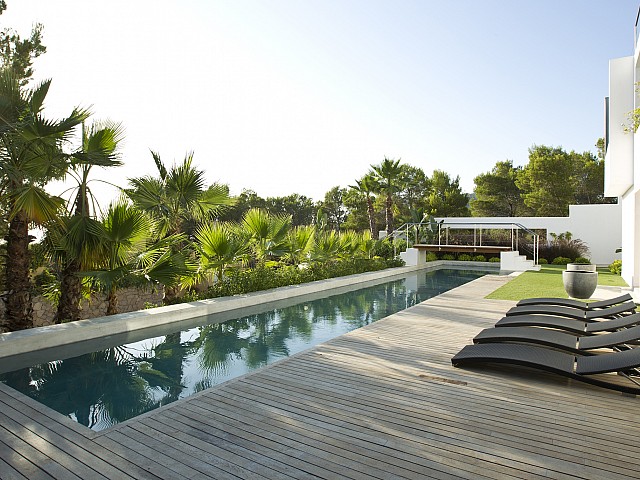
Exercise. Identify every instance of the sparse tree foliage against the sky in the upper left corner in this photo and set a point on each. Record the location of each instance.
(18, 54)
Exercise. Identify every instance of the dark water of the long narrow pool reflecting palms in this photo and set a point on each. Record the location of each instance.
(109, 386)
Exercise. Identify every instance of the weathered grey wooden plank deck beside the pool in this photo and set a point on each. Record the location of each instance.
(382, 402)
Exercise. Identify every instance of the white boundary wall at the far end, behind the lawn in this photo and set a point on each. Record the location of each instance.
(599, 226)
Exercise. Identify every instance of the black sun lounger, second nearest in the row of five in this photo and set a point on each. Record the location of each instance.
(560, 340)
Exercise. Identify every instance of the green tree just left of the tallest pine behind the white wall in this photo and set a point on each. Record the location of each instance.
(497, 194)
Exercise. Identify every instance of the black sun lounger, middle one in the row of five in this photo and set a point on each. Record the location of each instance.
(580, 327)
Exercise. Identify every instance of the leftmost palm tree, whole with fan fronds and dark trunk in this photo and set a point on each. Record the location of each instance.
(30, 157)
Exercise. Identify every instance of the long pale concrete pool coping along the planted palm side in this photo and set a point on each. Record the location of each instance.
(55, 336)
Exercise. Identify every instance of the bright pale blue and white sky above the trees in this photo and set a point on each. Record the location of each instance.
(300, 96)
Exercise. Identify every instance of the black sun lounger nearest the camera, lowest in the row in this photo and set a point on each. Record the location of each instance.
(569, 365)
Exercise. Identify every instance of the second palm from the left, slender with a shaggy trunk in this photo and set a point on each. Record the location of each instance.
(78, 247)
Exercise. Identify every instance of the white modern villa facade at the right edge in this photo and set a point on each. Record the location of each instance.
(622, 161)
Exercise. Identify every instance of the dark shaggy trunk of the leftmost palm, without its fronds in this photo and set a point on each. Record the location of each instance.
(19, 311)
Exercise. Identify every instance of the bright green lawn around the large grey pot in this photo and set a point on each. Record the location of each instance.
(547, 283)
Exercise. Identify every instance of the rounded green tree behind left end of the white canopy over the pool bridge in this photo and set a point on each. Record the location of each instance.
(445, 198)
